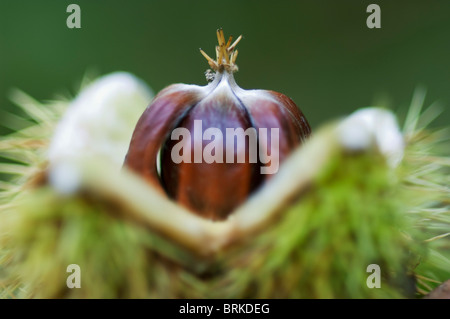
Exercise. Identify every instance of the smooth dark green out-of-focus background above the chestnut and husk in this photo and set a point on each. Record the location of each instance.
(320, 53)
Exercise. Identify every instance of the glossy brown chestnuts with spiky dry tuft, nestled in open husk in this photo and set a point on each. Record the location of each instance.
(209, 147)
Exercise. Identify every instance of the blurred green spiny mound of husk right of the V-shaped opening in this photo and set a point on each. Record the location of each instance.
(324, 242)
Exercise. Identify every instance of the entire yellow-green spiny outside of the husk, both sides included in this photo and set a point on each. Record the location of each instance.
(355, 212)
